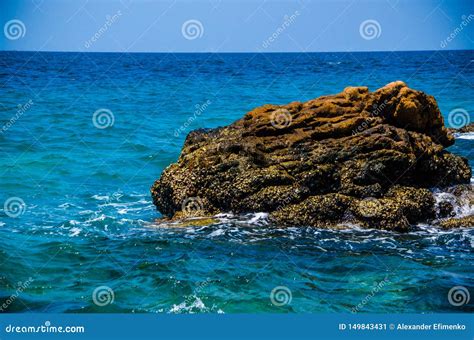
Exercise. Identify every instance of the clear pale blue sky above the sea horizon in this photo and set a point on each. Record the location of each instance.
(236, 26)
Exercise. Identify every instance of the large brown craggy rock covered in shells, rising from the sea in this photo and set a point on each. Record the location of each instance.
(357, 156)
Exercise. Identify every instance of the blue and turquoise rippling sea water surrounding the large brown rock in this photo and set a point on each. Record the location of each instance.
(88, 220)
